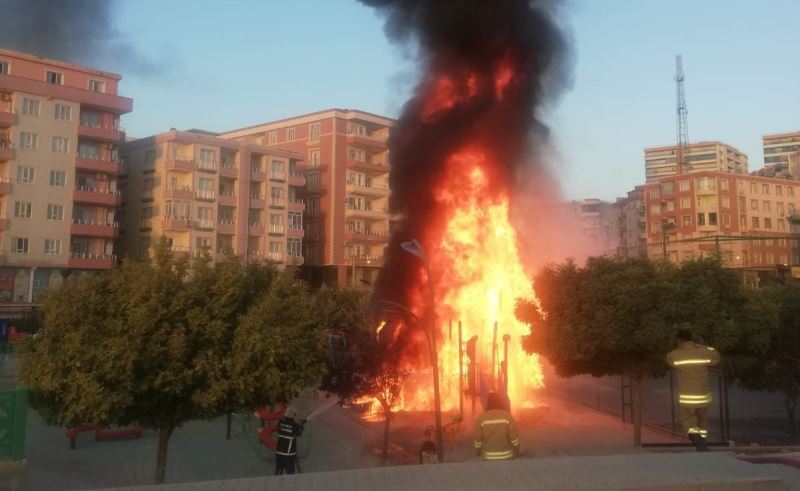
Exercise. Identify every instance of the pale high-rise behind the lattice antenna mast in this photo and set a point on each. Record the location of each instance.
(661, 162)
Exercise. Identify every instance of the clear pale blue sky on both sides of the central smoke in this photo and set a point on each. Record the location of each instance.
(226, 65)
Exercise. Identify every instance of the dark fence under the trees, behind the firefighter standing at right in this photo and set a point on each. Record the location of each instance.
(735, 414)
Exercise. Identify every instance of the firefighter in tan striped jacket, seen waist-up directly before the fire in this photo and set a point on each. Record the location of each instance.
(496, 435)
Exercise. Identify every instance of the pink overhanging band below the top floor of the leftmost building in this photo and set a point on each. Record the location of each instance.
(96, 100)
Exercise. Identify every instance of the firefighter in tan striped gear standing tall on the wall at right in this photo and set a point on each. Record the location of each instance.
(691, 360)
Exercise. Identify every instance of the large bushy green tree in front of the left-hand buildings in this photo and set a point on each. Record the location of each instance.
(160, 343)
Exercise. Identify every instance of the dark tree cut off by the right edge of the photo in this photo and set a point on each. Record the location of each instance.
(769, 358)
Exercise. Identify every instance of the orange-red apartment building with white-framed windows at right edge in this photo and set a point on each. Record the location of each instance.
(747, 219)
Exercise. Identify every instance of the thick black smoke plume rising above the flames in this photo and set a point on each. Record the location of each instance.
(465, 41)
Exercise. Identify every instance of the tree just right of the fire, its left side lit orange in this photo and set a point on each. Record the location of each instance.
(616, 317)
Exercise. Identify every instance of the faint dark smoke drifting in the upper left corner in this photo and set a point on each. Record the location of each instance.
(75, 31)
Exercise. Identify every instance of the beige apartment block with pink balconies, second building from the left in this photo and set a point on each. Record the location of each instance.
(203, 192)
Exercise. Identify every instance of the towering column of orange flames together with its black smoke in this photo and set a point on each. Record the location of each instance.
(461, 144)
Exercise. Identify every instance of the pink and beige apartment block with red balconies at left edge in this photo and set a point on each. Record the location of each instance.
(59, 133)
